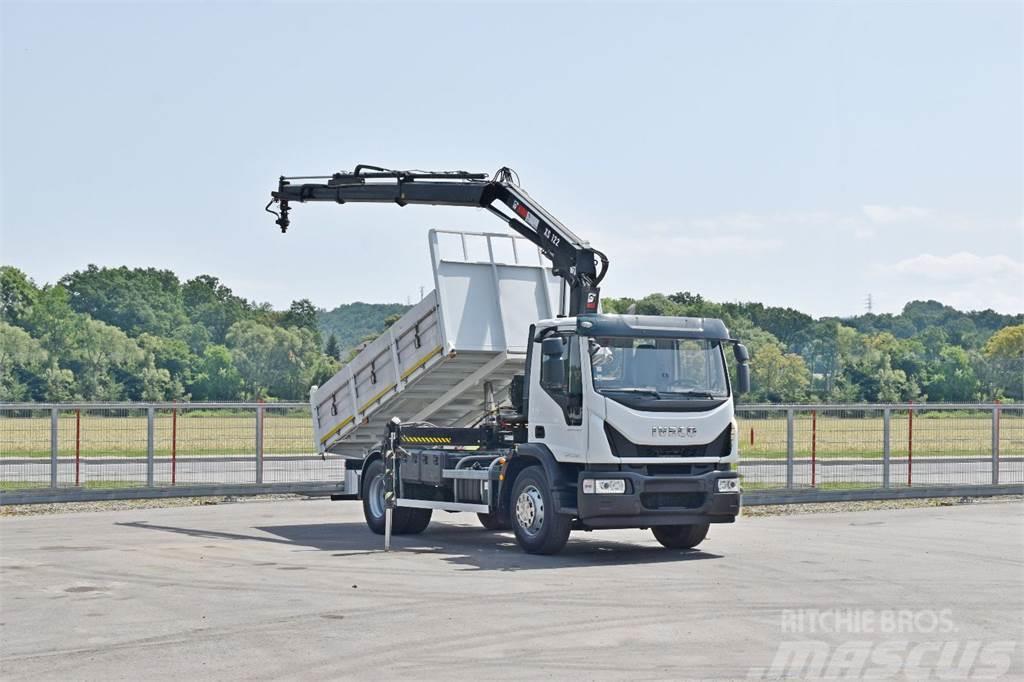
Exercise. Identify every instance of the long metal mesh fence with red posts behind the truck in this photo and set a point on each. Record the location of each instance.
(65, 452)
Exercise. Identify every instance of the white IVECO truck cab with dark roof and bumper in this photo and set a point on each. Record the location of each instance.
(641, 409)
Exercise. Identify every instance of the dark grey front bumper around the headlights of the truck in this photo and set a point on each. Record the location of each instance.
(649, 501)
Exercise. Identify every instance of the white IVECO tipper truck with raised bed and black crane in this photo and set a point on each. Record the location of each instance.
(509, 394)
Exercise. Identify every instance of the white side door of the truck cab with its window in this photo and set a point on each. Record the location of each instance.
(557, 406)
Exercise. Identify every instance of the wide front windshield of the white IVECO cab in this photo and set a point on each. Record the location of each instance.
(670, 368)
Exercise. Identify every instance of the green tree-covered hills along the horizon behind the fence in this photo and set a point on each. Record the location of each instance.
(143, 334)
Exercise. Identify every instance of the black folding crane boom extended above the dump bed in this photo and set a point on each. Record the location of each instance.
(573, 259)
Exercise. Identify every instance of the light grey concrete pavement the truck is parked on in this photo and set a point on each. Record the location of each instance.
(302, 590)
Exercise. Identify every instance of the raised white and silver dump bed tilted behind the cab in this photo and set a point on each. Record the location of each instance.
(432, 365)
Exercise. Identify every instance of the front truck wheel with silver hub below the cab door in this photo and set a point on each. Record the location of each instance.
(538, 529)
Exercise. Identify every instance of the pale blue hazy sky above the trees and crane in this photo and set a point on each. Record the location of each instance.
(800, 154)
